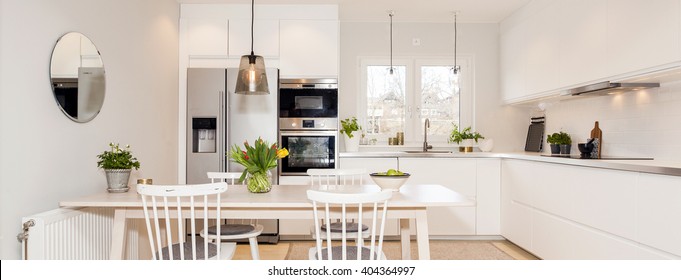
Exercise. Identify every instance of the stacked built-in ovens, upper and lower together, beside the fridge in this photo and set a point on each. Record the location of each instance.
(308, 124)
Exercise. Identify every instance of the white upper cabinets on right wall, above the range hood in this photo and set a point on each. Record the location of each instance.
(549, 46)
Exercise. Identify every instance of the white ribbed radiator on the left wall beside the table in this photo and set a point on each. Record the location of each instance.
(74, 234)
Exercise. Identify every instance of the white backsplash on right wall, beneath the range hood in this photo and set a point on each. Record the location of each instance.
(644, 123)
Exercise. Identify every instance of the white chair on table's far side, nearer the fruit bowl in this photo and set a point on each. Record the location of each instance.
(338, 177)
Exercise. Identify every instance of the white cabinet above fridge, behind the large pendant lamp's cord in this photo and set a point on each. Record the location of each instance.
(265, 37)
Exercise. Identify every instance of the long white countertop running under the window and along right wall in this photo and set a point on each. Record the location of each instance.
(672, 168)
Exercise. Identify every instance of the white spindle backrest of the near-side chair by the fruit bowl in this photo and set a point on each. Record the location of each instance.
(350, 206)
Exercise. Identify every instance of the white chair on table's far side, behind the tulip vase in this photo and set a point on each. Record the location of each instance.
(244, 229)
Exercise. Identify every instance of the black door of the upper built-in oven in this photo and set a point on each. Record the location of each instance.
(308, 102)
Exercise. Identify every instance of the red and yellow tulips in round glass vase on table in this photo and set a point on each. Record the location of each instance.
(258, 160)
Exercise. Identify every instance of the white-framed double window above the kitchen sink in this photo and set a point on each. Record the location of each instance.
(418, 89)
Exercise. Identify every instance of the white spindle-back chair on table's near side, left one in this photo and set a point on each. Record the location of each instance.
(164, 202)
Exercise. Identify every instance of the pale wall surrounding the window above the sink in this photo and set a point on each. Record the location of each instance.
(506, 125)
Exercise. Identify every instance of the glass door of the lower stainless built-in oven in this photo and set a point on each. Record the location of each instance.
(308, 149)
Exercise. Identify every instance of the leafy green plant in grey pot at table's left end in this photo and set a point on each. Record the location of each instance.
(117, 164)
